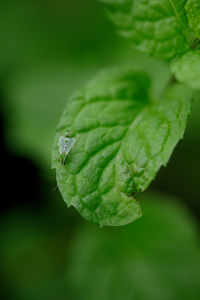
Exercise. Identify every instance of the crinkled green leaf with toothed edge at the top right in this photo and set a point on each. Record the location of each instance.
(158, 27)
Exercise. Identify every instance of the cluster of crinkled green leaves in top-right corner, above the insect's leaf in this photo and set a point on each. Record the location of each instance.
(164, 29)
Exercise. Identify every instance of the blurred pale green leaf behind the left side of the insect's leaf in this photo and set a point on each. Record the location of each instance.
(35, 97)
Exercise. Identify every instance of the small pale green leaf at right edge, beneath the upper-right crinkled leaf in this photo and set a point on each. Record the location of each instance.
(186, 68)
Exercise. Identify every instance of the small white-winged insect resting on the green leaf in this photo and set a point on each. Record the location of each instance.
(65, 145)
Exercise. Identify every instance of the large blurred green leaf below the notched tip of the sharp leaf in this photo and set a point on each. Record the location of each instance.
(157, 257)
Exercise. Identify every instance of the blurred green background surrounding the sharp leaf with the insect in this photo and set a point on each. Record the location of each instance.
(48, 50)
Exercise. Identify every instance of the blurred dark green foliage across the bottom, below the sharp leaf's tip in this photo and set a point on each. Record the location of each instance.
(156, 257)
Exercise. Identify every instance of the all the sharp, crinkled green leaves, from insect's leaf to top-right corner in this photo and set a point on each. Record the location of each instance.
(123, 135)
